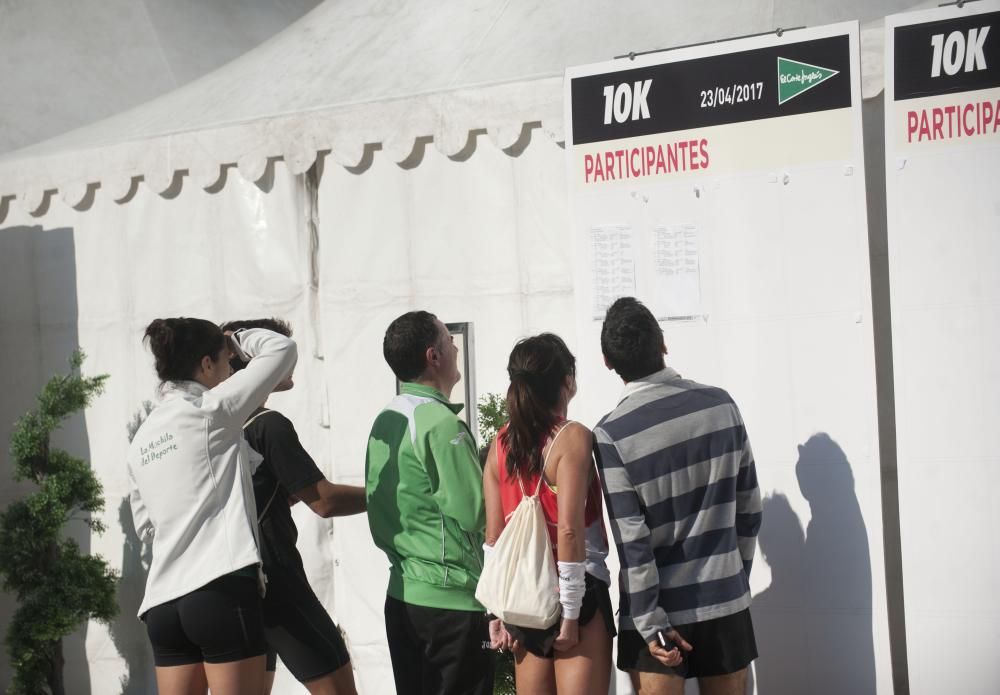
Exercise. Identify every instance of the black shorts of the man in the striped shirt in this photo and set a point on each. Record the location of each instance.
(720, 646)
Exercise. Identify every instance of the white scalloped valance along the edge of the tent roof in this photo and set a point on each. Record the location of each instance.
(397, 128)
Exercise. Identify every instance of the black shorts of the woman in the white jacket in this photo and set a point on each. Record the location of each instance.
(218, 623)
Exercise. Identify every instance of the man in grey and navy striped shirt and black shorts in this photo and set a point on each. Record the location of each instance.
(682, 495)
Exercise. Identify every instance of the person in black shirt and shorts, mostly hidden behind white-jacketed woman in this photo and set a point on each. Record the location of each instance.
(296, 626)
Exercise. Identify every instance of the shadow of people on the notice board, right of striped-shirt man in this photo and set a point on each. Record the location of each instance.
(814, 622)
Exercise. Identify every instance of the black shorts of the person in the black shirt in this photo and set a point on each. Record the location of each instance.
(298, 628)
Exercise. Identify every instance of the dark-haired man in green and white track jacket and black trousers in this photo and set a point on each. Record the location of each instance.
(424, 489)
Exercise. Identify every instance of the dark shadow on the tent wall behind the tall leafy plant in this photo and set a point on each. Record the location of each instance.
(38, 332)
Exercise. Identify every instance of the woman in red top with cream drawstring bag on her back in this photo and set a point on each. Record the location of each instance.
(540, 470)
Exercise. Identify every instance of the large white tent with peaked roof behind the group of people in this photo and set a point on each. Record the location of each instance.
(373, 158)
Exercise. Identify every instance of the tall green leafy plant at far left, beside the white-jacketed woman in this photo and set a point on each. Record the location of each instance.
(56, 585)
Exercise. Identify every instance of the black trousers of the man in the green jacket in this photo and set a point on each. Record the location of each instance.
(436, 651)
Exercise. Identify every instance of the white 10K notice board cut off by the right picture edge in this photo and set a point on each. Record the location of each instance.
(942, 130)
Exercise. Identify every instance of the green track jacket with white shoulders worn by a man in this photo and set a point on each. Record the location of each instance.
(424, 488)
